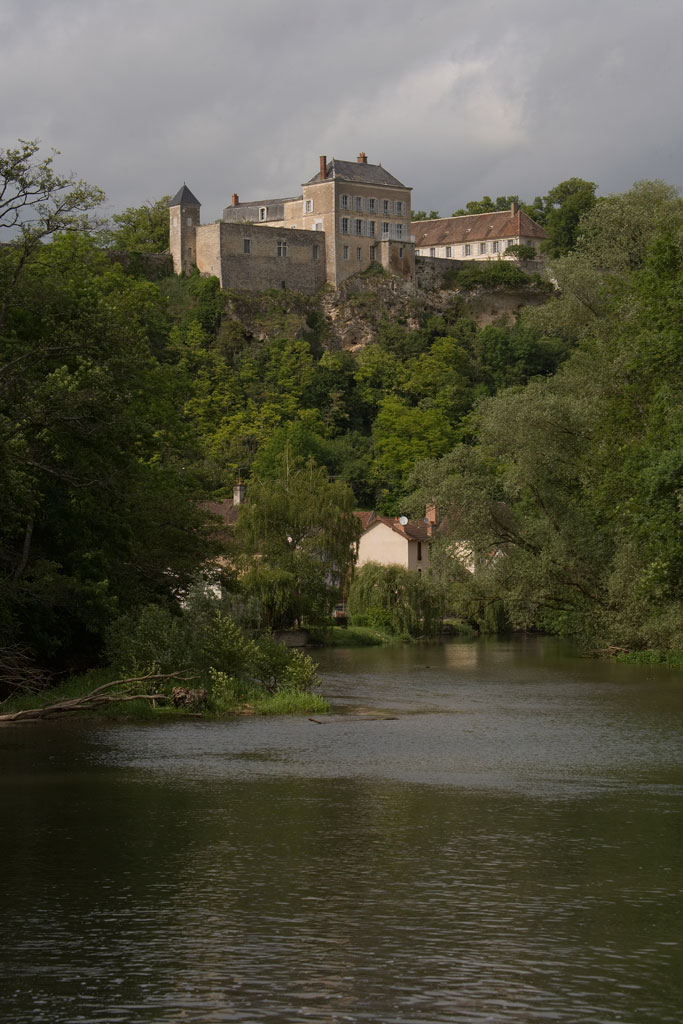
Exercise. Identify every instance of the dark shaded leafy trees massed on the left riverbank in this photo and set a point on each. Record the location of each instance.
(97, 516)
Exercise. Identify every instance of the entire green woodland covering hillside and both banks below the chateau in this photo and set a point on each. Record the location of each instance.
(552, 446)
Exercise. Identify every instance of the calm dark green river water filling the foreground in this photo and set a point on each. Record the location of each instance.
(482, 832)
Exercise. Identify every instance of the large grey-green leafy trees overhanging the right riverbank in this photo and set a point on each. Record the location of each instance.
(572, 495)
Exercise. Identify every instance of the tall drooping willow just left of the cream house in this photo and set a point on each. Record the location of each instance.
(296, 538)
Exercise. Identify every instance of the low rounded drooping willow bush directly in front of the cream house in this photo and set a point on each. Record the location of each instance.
(393, 599)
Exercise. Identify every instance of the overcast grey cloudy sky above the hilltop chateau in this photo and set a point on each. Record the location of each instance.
(457, 99)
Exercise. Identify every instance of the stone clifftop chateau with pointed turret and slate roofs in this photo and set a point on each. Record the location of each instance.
(350, 216)
